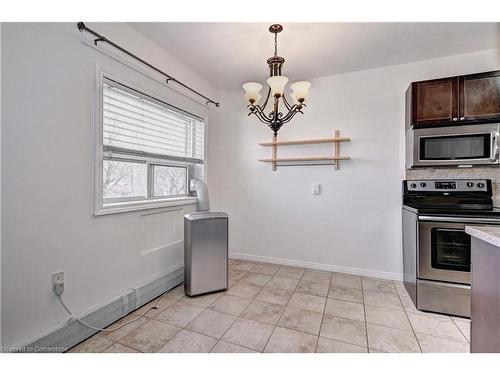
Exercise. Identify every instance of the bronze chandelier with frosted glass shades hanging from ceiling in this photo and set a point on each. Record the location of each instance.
(275, 119)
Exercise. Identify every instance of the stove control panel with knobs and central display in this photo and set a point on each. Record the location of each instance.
(447, 185)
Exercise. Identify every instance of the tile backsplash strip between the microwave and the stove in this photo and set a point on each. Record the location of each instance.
(492, 173)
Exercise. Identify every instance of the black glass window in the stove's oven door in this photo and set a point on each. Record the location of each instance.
(450, 249)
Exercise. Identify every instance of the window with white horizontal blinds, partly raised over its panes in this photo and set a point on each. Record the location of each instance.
(150, 150)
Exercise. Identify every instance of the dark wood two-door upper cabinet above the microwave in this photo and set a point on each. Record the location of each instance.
(459, 100)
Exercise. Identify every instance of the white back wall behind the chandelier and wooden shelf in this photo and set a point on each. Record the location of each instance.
(354, 225)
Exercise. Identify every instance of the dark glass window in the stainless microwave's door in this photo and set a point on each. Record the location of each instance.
(455, 147)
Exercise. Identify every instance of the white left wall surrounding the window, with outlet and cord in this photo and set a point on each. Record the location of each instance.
(47, 177)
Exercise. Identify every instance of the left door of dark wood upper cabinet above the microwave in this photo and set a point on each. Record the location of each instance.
(435, 101)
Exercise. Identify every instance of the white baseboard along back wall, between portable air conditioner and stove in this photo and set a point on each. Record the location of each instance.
(319, 266)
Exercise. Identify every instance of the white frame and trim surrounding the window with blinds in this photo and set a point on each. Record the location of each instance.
(106, 206)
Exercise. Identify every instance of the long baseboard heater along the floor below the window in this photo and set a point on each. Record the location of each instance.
(61, 337)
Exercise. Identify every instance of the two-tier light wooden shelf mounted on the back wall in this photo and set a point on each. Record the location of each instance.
(306, 160)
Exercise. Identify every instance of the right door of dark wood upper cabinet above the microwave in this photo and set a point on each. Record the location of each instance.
(480, 97)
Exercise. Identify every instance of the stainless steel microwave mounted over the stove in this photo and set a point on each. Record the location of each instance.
(453, 146)
